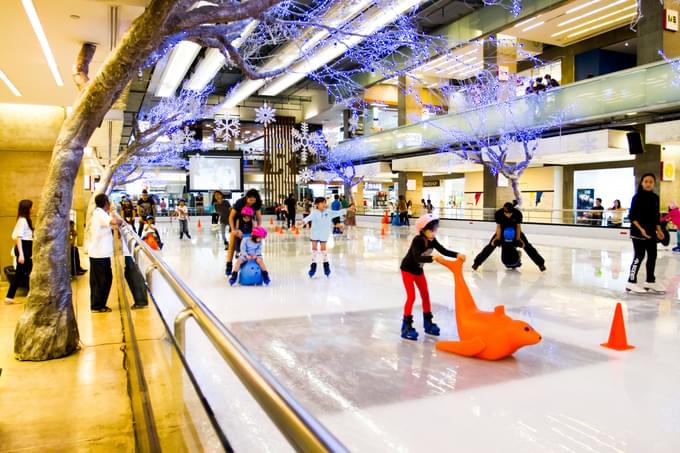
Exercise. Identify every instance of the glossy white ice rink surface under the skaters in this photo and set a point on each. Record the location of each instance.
(334, 343)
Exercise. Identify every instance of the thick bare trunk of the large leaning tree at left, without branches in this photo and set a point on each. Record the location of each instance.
(47, 328)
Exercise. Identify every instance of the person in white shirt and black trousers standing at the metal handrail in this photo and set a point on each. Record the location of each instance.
(100, 252)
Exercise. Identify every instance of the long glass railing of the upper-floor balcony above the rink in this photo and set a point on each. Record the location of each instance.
(644, 88)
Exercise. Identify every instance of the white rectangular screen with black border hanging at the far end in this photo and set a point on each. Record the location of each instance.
(216, 173)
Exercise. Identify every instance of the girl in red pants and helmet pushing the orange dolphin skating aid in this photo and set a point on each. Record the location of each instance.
(413, 275)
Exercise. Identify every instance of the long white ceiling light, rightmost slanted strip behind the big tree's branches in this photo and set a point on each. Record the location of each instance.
(380, 17)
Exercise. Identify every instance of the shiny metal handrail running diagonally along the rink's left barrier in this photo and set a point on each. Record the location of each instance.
(300, 428)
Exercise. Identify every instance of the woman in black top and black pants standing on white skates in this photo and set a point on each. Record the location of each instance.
(645, 230)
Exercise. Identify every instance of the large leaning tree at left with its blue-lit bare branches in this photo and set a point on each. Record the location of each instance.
(47, 328)
